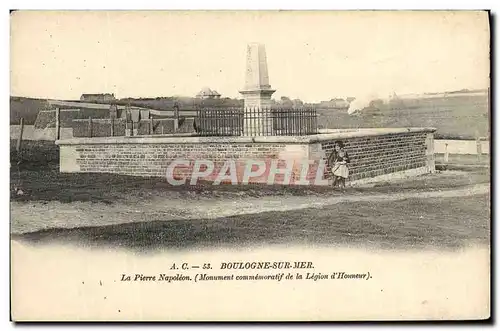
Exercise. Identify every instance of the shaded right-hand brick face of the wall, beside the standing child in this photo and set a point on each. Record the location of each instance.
(384, 154)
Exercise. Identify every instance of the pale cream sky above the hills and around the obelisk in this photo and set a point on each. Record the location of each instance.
(314, 56)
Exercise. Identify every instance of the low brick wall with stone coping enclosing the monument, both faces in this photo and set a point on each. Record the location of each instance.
(373, 153)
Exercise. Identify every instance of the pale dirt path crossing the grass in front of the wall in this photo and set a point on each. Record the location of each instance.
(38, 215)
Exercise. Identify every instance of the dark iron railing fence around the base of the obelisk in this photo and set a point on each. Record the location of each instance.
(256, 121)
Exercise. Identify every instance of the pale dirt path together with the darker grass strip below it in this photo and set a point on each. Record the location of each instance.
(441, 218)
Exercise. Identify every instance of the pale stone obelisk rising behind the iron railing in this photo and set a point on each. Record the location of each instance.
(257, 92)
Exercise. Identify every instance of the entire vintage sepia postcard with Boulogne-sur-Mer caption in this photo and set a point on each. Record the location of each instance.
(250, 165)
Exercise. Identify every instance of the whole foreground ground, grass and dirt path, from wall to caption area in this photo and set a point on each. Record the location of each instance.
(448, 209)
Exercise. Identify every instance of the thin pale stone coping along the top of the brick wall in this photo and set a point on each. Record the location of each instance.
(193, 139)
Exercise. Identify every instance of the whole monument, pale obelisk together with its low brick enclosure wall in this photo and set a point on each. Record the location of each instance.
(375, 153)
